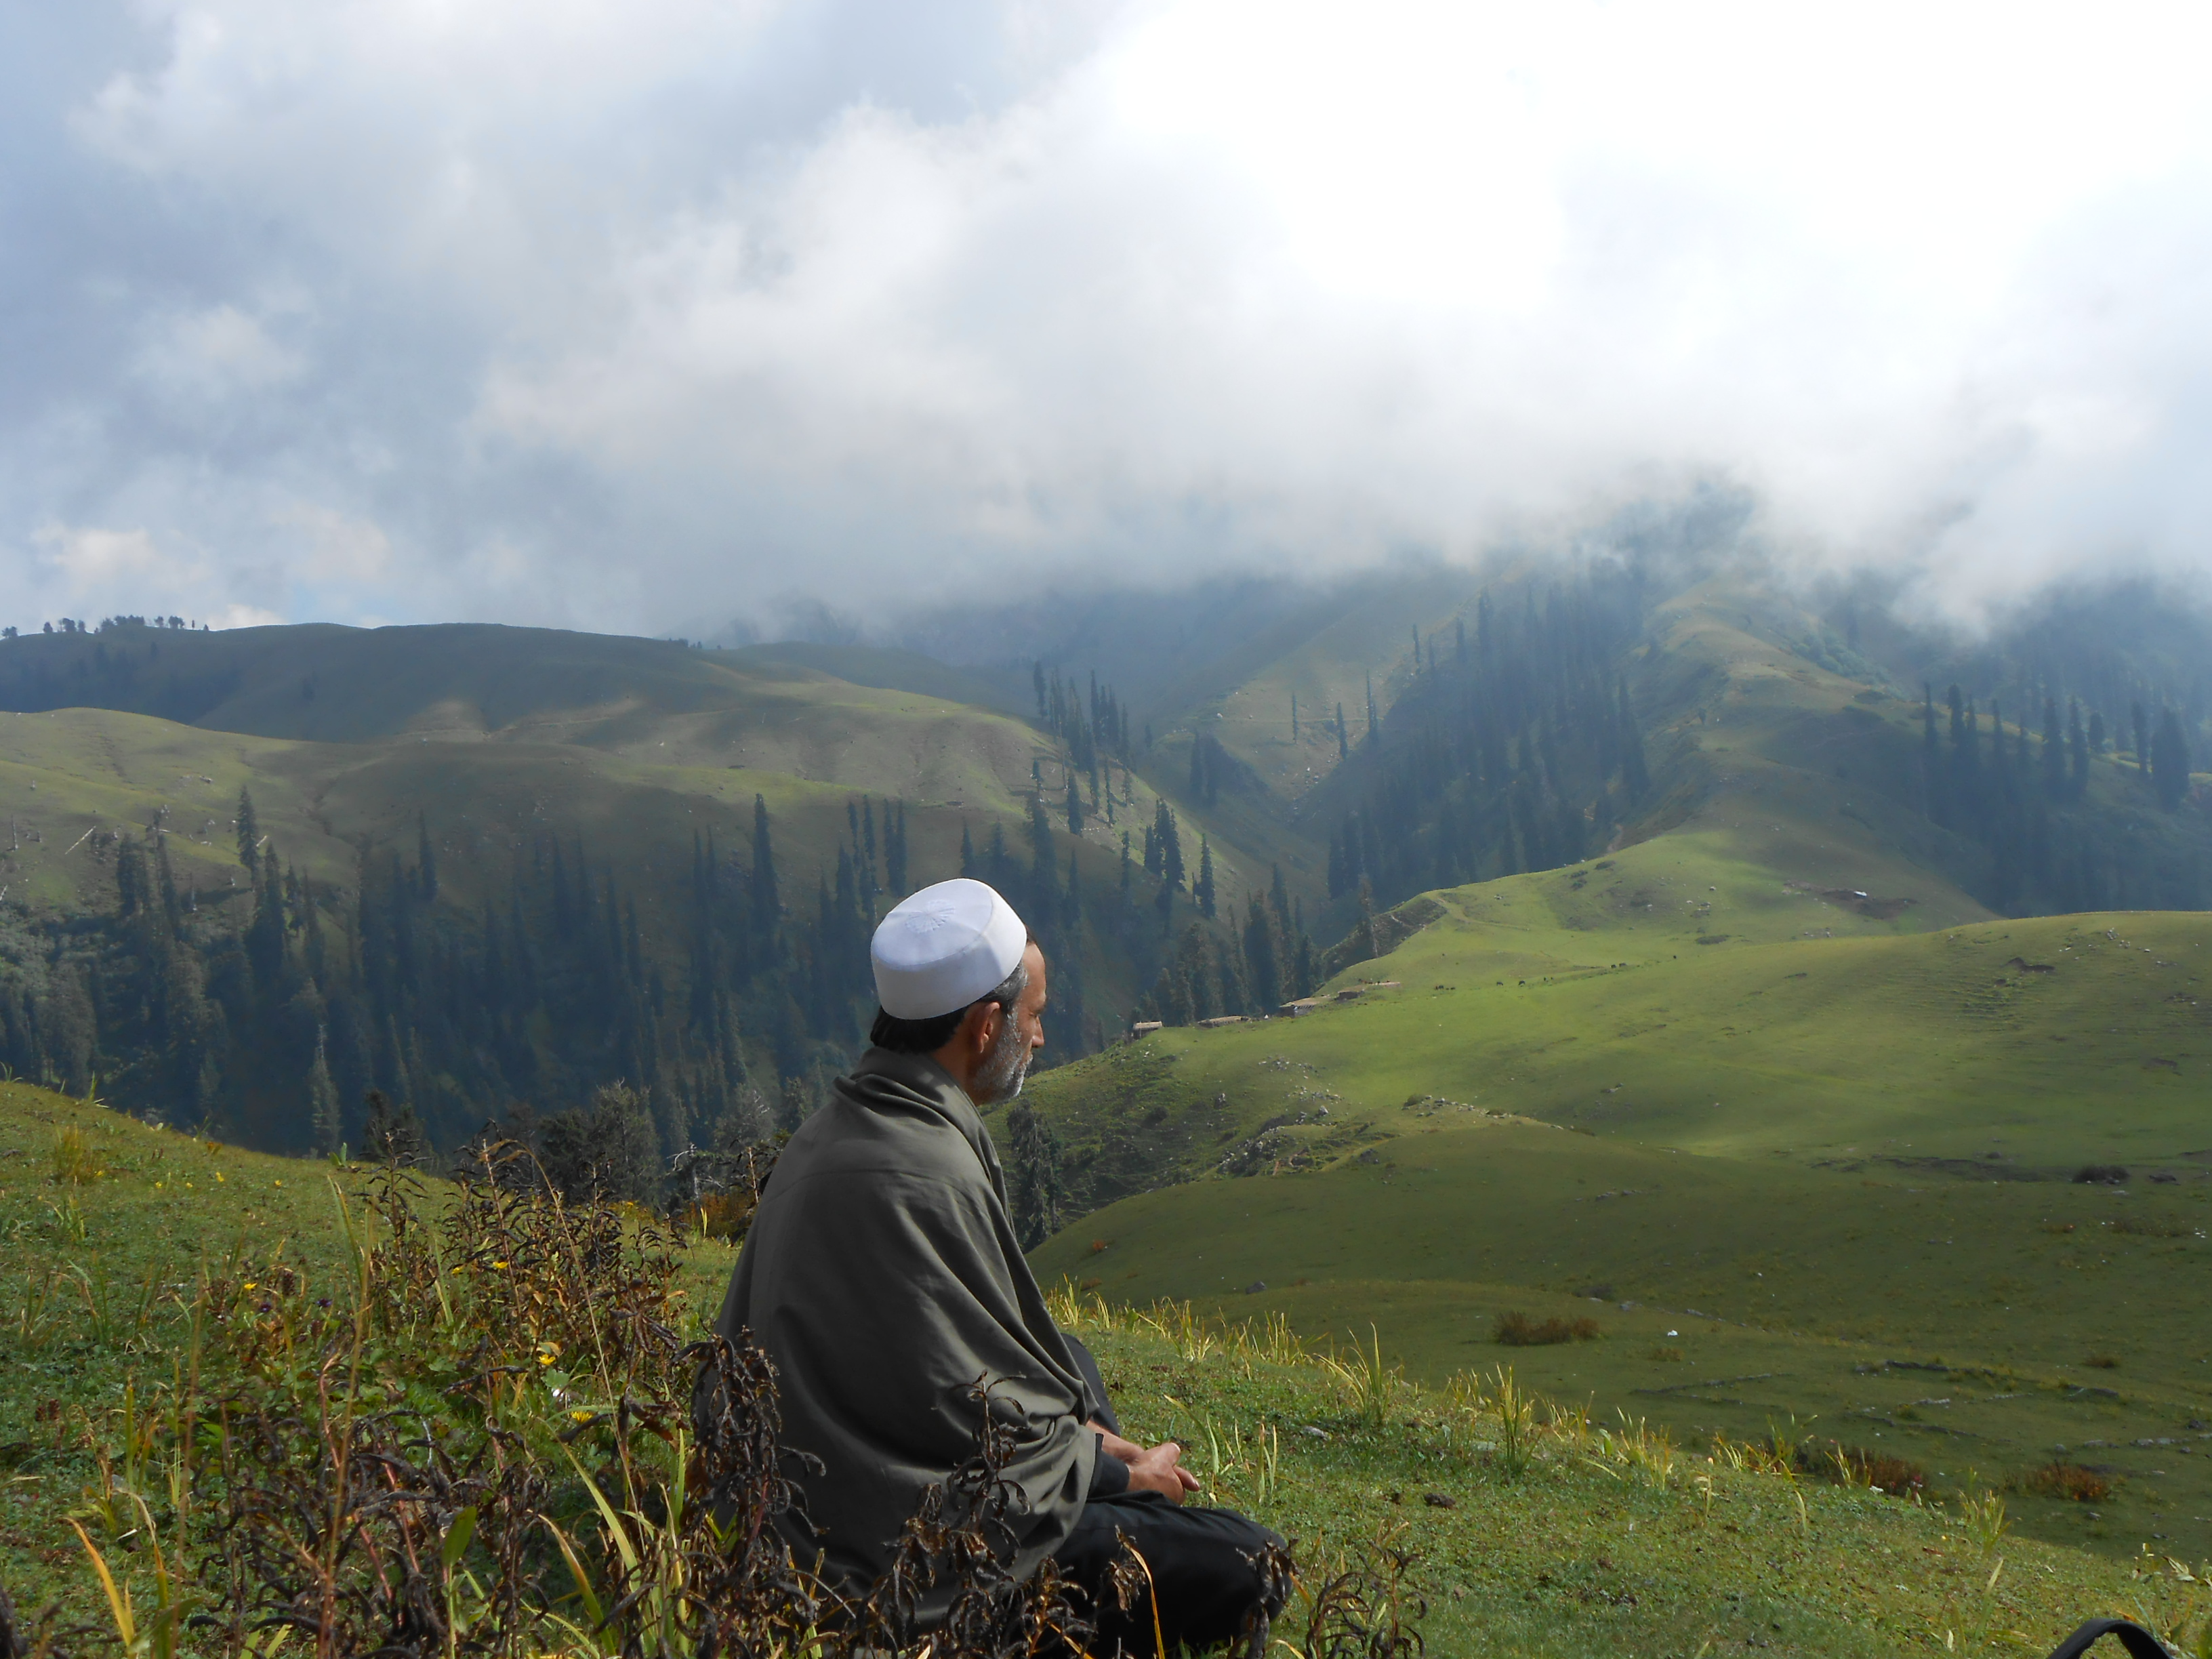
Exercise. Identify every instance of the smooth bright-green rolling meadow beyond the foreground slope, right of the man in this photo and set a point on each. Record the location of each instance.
(1850, 1154)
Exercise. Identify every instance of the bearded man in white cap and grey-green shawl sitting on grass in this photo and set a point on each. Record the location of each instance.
(884, 1280)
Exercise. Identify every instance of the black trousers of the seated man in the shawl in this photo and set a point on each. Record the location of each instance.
(1204, 1563)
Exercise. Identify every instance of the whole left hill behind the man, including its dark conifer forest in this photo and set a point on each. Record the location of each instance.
(503, 789)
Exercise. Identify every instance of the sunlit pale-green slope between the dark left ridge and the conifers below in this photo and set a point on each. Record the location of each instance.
(76, 771)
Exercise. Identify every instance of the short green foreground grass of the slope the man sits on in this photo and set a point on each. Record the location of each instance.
(1594, 1538)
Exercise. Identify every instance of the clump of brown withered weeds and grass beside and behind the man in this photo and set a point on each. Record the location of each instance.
(490, 1443)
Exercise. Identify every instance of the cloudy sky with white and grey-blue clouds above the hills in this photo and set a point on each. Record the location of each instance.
(665, 313)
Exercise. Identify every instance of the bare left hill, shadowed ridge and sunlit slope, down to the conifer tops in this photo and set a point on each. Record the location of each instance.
(627, 742)
